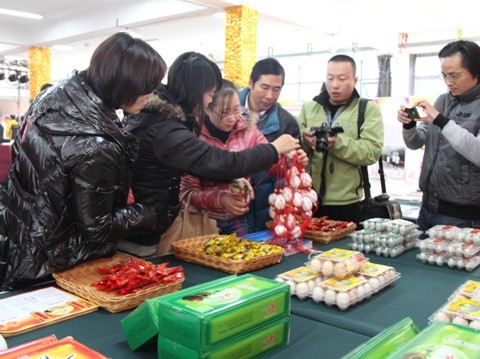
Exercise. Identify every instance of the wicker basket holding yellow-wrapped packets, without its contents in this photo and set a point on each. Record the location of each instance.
(187, 250)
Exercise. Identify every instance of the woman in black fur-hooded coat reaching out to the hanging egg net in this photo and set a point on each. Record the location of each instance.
(169, 147)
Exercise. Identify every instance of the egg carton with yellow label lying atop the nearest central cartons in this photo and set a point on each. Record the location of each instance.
(336, 262)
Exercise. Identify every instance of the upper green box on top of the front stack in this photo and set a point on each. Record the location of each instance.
(205, 315)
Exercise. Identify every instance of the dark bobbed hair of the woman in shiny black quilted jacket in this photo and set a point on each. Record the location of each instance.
(122, 68)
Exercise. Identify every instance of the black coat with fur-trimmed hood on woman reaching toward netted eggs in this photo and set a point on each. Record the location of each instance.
(169, 148)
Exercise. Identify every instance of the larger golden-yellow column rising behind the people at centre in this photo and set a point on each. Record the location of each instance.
(240, 44)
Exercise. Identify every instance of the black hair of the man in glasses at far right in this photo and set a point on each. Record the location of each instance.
(470, 53)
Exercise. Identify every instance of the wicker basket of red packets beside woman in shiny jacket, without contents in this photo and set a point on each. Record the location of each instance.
(79, 279)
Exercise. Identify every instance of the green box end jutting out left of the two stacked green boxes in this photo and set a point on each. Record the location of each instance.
(141, 325)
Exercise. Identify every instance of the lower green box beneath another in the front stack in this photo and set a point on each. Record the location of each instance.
(253, 344)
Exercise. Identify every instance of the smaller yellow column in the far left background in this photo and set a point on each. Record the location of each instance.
(39, 60)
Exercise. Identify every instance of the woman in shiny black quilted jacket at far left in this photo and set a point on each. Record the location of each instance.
(64, 200)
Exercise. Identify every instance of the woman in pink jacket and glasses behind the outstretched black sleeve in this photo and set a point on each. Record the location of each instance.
(226, 128)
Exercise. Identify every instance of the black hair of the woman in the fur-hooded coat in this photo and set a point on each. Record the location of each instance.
(189, 77)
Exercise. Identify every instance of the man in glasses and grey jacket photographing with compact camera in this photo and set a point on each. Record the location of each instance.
(449, 130)
